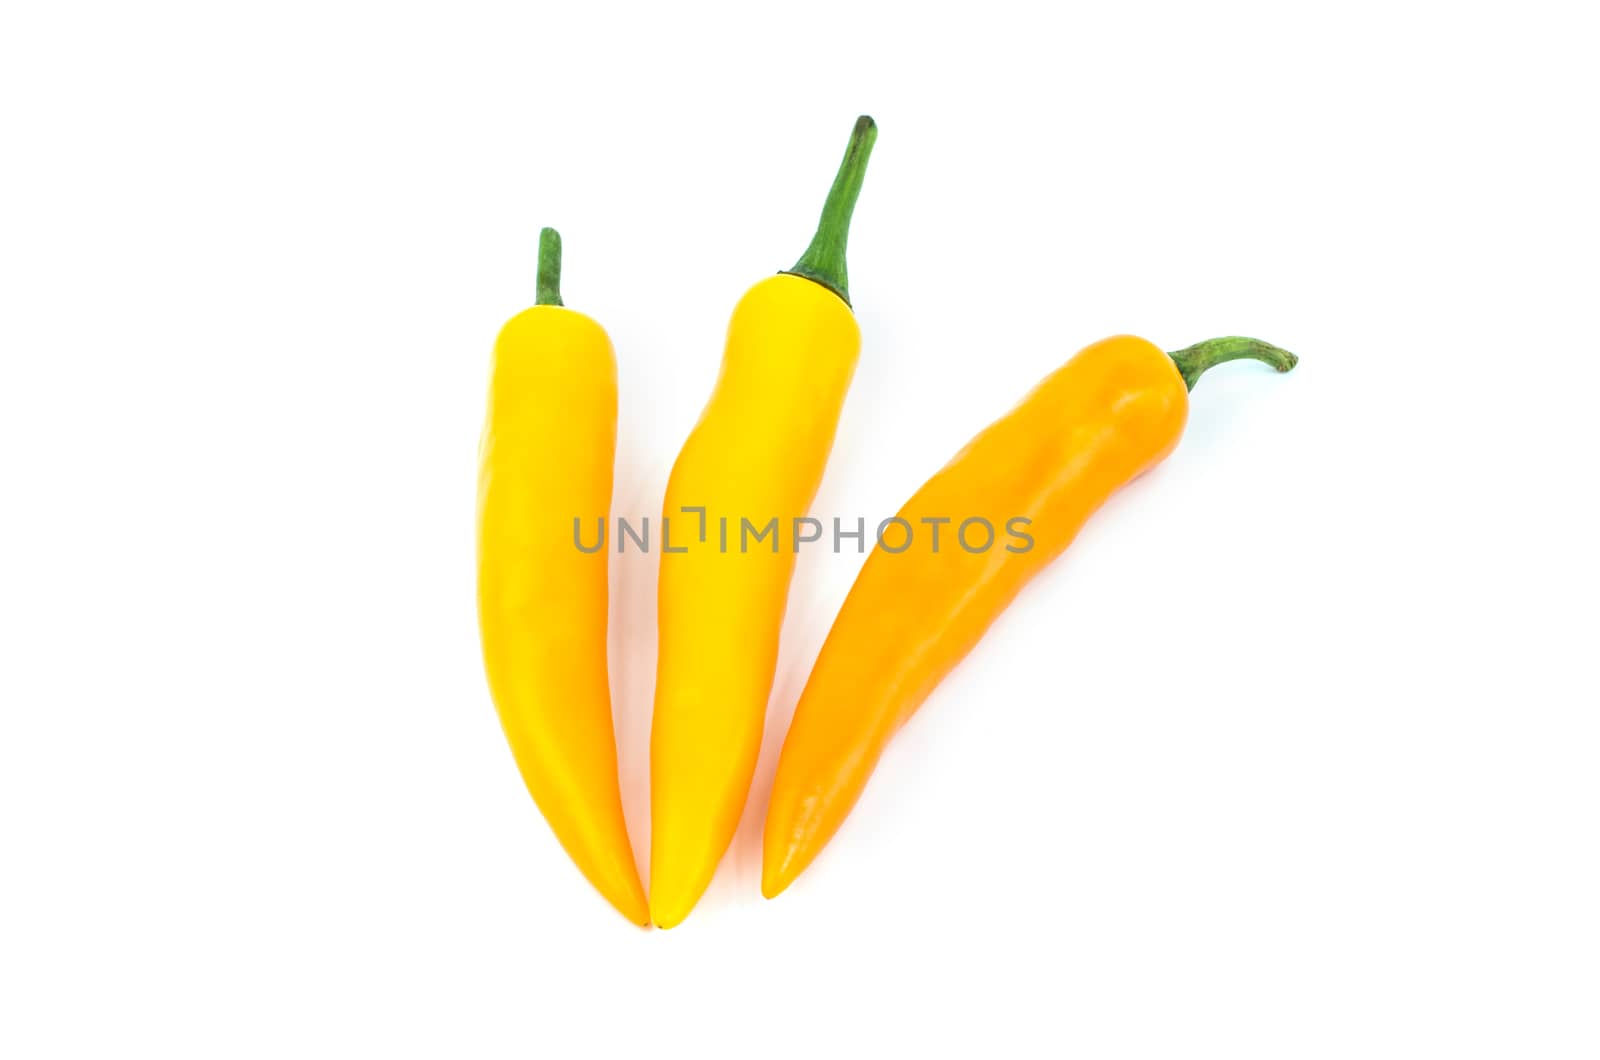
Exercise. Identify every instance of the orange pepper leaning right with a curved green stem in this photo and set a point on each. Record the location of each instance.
(1108, 416)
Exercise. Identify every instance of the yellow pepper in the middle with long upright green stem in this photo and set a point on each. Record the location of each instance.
(758, 454)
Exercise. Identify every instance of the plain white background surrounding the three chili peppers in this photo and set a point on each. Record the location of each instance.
(1294, 755)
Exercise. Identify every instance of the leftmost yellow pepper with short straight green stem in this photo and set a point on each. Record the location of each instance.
(546, 460)
